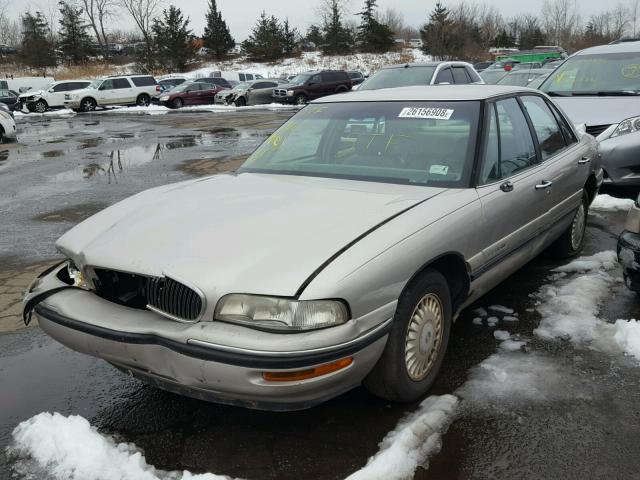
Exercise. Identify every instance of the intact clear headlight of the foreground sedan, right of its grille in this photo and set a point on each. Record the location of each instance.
(283, 314)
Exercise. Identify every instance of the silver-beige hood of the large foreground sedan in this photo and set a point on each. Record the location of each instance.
(247, 232)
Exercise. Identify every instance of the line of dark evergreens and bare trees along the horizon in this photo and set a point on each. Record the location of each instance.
(166, 41)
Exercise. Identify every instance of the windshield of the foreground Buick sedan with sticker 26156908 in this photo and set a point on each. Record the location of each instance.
(418, 143)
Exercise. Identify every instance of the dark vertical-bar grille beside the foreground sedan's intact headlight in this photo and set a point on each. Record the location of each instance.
(173, 298)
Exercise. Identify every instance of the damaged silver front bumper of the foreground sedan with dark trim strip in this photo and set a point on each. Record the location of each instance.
(194, 359)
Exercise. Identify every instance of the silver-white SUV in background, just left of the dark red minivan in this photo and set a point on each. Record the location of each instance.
(116, 90)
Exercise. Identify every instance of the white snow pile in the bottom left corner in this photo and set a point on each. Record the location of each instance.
(68, 448)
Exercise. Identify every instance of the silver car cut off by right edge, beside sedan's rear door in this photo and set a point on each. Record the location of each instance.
(600, 87)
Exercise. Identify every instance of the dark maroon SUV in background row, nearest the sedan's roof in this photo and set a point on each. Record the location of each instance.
(311, 85)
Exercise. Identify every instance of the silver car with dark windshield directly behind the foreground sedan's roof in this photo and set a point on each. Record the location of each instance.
(429, 73)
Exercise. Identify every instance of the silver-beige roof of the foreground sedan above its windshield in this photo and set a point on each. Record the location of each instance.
(426, 93)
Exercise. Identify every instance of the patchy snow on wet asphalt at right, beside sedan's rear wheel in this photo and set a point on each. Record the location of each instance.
(569, 307)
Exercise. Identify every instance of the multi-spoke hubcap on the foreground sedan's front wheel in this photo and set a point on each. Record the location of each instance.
(424, 337)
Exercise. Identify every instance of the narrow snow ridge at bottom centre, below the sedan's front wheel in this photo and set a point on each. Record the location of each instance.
(412, 441)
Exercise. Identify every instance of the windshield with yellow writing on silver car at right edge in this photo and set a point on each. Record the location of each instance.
(614, 73)
